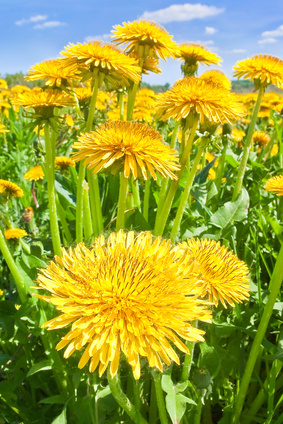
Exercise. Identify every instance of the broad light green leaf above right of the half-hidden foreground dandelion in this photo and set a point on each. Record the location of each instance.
(232, 211)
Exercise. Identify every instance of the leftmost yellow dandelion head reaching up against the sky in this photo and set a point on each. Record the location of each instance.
(54, 72)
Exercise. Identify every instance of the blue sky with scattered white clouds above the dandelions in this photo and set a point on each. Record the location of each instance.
(32, 30)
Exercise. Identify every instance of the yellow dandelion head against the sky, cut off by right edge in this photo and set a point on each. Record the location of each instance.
(264, 68)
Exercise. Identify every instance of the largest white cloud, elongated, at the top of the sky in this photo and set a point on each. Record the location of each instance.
(181, 13)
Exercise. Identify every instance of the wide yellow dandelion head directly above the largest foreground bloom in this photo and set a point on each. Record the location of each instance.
(129, 146)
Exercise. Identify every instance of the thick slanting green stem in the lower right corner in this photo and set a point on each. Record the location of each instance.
(275, 284)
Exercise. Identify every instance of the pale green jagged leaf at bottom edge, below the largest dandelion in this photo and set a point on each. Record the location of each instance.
(175, 401)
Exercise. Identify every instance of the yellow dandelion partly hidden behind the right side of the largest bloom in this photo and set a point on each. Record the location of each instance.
(218, 273)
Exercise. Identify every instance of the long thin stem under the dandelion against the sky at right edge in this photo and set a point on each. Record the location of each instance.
(241, 173)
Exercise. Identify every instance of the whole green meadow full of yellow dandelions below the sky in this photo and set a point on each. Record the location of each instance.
(141, 234)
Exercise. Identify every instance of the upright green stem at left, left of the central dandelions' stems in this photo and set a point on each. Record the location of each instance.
(50, 177)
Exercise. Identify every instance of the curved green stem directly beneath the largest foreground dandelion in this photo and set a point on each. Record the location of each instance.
(122, 400)
